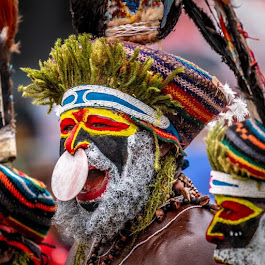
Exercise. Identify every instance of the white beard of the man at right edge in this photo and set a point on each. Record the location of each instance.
(252, 254)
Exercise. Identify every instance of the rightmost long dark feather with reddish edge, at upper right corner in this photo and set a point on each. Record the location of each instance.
(250, 79)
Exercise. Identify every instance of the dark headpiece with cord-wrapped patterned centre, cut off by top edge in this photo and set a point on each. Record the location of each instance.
(141, 21)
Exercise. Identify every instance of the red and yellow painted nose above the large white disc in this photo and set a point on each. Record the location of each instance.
(78, 138)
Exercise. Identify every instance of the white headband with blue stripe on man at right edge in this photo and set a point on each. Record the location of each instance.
(222, 183)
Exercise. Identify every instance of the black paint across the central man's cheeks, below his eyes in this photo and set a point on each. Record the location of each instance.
(113, 147)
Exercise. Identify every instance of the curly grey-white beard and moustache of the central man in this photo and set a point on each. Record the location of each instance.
(125, 196)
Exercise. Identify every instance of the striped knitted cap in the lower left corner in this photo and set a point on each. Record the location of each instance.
(25, 204)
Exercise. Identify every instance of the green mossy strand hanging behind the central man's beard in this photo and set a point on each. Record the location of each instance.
(161, 189)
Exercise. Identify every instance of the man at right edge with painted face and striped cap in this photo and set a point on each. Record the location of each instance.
(237, 157)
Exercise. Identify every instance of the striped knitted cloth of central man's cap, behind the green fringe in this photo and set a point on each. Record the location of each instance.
(199, 94)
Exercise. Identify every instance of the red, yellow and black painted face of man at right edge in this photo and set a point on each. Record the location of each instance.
(233, 228)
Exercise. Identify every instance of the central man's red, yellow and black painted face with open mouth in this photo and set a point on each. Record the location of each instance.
(108, 131)
